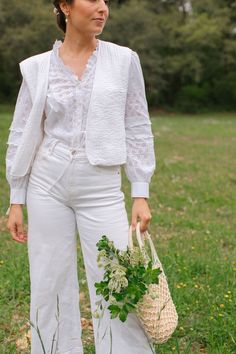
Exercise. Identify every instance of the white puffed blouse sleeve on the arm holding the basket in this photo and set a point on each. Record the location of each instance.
(141, 161)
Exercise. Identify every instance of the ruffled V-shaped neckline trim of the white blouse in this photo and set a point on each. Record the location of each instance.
(80, 79)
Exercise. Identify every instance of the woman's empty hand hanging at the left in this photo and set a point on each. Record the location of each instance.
(15, 223)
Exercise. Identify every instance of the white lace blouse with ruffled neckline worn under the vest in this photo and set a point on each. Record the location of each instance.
(65, 119)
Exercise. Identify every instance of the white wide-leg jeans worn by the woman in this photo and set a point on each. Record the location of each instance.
(66, 195)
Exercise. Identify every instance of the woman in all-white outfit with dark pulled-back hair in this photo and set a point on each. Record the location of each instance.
(72, 179)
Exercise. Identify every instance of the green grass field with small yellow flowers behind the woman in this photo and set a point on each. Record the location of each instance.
(193, 206)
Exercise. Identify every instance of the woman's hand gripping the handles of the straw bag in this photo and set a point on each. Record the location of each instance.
(140, 210)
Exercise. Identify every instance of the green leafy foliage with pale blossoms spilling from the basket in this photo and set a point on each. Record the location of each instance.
(126, 278)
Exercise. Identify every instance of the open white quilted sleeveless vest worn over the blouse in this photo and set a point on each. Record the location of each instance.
(105, 126)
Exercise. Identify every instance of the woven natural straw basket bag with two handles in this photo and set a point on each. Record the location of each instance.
(156, 311)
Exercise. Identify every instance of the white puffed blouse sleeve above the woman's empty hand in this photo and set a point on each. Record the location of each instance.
(18, 185)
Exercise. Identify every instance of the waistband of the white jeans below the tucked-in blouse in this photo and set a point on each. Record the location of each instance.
(57, 145)
